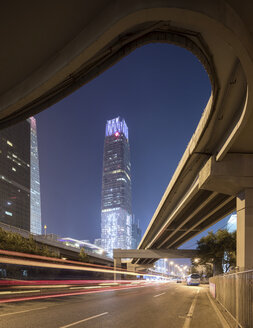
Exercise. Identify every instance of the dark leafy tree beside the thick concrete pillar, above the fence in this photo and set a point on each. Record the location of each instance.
(217, 249)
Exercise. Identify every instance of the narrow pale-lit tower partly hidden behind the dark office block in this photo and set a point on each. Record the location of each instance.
(35, 222)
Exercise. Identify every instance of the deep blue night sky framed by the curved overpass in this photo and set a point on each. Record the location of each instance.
(161, 91)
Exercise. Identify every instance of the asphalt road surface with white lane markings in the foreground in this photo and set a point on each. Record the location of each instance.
(165, 305)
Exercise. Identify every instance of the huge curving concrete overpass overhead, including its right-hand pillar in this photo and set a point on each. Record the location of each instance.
(50, 49)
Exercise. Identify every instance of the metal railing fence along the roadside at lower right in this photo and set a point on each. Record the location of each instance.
(235, 293)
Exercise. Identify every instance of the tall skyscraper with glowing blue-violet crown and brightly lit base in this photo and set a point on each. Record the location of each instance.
(116, 211)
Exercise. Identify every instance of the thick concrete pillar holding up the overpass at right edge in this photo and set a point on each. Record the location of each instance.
(244, 251)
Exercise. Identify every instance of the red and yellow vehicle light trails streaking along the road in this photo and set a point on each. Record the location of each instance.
(13, 286)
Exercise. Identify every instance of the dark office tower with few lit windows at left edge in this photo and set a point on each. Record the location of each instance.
(15, 175)
